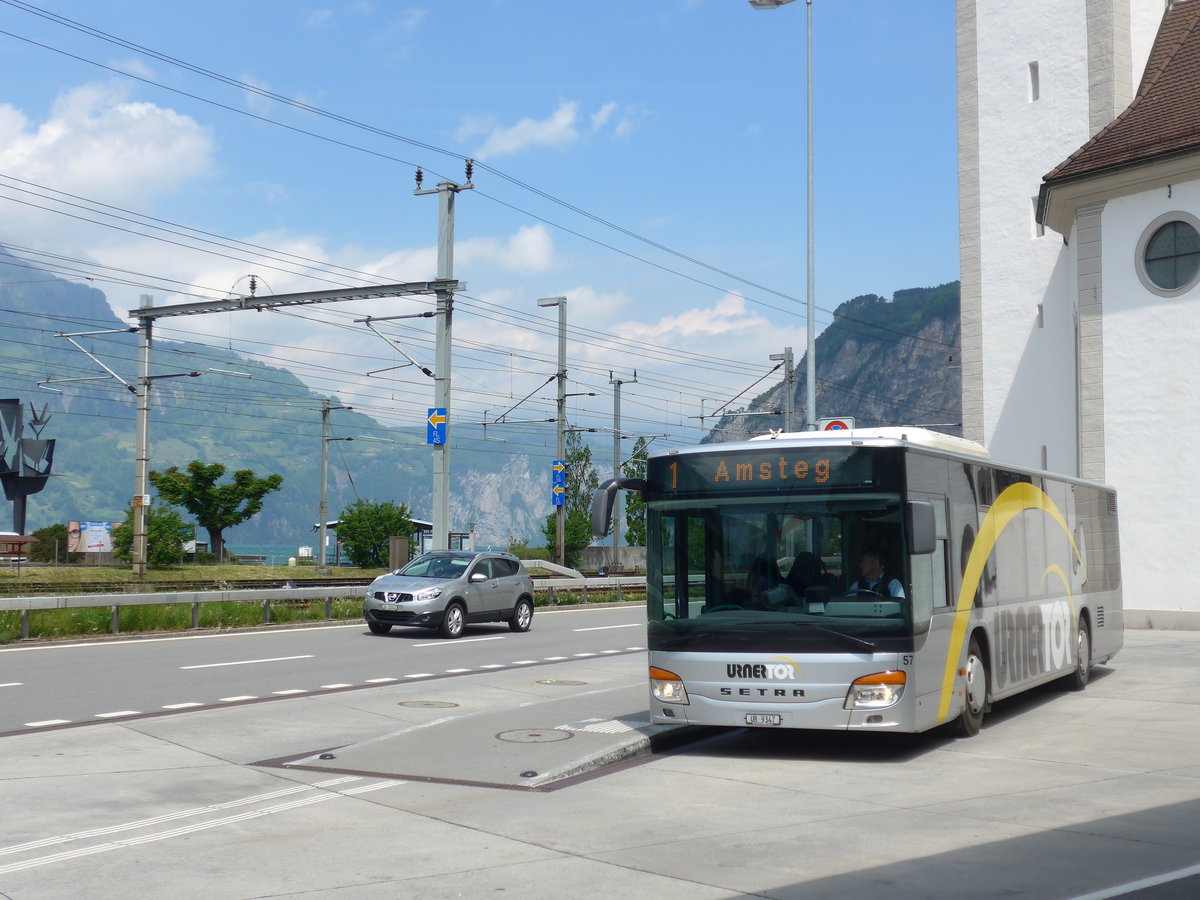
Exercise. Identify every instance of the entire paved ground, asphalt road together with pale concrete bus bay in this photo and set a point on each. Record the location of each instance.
(1089, 795)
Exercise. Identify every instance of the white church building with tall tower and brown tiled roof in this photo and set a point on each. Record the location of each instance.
(1079, 194)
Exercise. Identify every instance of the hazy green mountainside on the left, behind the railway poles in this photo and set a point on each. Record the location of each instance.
(269, 423)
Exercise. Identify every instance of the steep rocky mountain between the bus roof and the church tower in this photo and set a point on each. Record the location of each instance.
(880, 362)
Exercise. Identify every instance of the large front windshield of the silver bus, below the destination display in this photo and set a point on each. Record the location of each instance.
(800, 573)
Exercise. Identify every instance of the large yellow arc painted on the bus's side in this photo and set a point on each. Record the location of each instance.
(1012, 502)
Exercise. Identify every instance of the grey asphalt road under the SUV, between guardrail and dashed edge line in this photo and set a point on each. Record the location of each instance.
(73, 683)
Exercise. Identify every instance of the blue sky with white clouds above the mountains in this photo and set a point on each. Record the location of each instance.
(644, 160)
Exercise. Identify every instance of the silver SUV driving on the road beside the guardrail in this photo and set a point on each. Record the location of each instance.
(448, 589)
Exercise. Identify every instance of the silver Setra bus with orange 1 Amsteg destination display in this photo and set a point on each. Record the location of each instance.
(868, 580)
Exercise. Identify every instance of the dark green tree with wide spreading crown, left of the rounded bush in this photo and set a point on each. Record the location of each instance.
(215, 507)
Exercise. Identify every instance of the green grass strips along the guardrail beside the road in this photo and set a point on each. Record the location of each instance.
(64, 625)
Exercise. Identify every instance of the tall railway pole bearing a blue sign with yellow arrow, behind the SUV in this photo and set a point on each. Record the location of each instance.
(447, 191)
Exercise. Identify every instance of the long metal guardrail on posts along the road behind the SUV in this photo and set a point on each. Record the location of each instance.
(25, 605)
